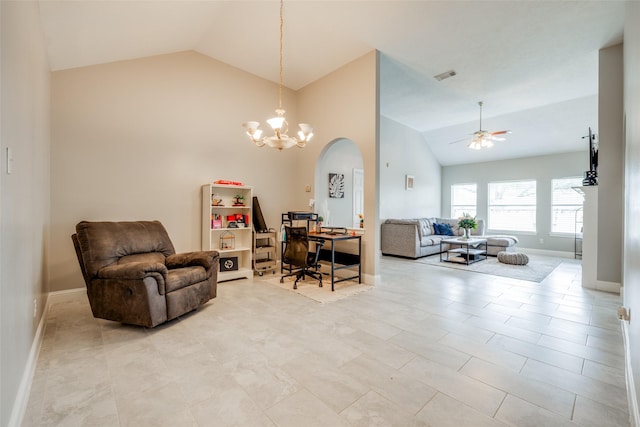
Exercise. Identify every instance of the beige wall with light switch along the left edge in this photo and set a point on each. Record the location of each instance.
(24, 196)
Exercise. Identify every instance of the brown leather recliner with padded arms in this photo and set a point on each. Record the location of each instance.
(134, 276)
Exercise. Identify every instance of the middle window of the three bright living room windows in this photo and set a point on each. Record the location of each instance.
(512, 206)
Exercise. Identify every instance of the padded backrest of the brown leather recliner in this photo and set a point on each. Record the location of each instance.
(103, 243)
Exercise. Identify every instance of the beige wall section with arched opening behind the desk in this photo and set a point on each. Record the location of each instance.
(344, 104)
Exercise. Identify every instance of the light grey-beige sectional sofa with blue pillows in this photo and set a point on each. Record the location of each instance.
(415, 238)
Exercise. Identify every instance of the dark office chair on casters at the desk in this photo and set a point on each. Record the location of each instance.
(297, 254)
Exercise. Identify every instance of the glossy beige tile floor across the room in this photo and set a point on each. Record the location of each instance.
(429, 346)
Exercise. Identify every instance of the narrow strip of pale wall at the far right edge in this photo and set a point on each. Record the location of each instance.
(631, 271)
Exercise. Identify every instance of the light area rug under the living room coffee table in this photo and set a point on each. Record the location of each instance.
(536, 270)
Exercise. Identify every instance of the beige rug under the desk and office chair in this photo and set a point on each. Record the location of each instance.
(309, 288)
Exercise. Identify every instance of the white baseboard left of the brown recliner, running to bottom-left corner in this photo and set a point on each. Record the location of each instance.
(22, 397)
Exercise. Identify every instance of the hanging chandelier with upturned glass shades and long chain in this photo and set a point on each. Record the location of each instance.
(279, 140)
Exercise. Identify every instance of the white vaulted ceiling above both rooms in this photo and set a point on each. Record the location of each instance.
(533, 63)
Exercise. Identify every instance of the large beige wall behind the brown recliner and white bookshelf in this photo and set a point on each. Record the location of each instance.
(137, 139)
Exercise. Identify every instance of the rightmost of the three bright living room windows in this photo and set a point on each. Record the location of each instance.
(566, 205)
